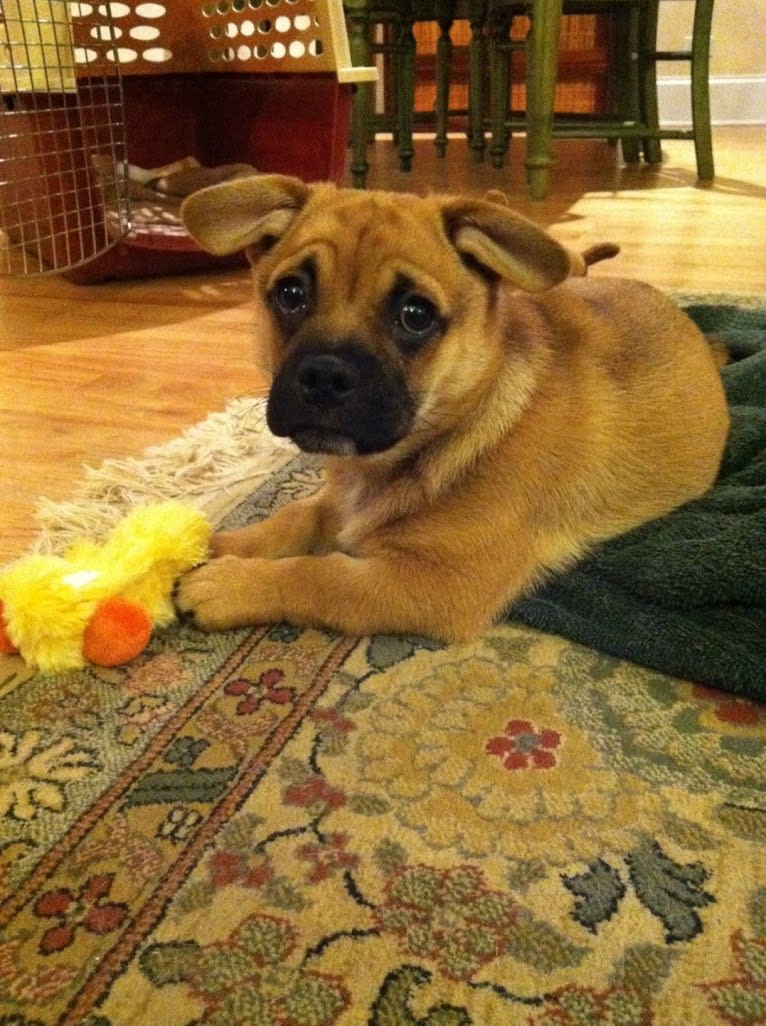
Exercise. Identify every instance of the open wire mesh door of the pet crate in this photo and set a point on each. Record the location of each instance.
(63, 194)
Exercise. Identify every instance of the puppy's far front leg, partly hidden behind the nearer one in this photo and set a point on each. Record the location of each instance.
(301, 528)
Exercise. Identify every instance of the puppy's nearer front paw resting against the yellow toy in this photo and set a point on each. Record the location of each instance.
(217, 596)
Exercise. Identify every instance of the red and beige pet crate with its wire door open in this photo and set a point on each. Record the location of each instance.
(101, 101)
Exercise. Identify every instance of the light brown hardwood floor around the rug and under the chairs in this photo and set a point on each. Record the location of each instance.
(95, 372)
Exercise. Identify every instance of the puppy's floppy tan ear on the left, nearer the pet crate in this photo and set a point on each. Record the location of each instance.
(241, 213)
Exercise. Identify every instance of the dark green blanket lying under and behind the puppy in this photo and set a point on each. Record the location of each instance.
(687, 595)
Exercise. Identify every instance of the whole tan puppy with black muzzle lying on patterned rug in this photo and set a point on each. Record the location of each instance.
(487, 417)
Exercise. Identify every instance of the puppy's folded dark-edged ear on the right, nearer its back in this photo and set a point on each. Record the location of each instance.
(506, 244)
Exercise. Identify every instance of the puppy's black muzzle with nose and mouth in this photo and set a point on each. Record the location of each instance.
(341, 401)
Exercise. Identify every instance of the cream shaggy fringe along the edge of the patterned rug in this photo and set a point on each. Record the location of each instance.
(214, 466)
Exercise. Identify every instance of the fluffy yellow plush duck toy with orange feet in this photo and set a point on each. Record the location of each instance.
(99, 604)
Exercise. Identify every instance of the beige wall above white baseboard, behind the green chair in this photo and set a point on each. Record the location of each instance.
(739, 34)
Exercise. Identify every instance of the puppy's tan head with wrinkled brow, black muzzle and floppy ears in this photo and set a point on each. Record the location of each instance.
(385, 308)
